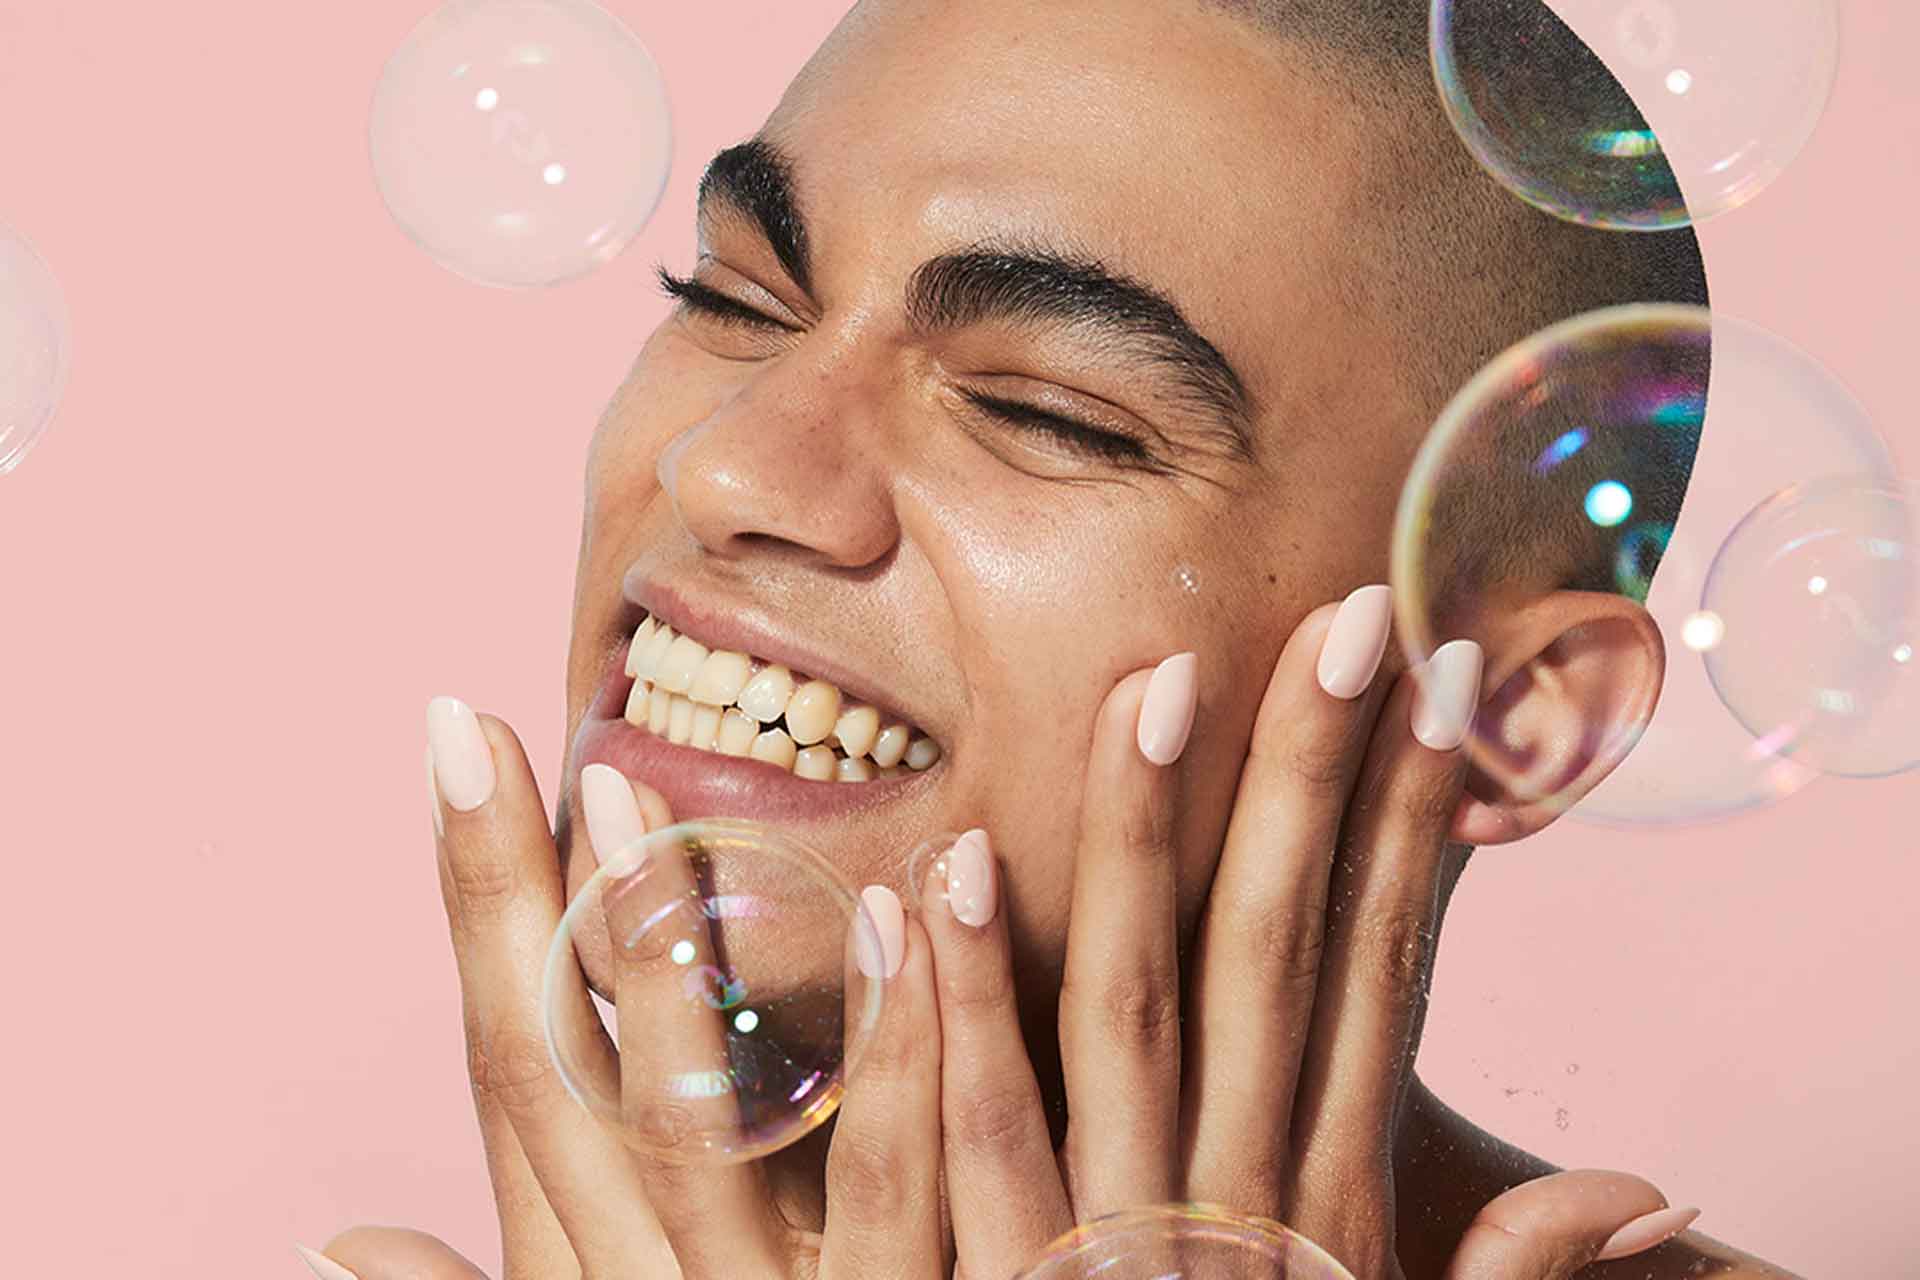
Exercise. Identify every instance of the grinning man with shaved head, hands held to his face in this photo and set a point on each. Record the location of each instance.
(1020, 462)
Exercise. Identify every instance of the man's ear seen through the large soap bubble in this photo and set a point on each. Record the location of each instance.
(1573, 678)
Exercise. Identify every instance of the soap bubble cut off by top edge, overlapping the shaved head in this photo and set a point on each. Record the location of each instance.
(1637, 116)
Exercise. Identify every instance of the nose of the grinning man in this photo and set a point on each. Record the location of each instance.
(796, 463)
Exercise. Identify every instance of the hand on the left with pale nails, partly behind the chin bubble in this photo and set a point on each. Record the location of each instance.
(573, 1200)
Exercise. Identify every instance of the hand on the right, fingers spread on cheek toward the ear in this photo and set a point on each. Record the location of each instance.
(1278, 1093)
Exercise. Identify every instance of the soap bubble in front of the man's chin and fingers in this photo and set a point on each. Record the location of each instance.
(736, 1007)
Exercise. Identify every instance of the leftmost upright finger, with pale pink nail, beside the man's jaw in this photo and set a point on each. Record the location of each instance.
(502, 884)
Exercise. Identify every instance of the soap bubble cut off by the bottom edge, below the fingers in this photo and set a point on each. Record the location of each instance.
(1184, 1243)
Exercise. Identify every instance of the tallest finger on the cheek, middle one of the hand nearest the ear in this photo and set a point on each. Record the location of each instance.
(1259, 953)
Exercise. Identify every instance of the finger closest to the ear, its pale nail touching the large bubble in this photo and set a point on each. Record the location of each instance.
(1381, 911)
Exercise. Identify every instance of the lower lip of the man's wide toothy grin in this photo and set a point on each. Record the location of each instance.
(704, 784)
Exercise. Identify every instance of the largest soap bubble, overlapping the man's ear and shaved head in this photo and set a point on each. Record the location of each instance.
(1562, 469)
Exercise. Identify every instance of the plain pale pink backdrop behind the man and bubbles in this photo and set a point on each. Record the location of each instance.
(304, 479)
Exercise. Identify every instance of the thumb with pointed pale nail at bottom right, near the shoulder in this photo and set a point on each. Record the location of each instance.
(1552, 1227)
